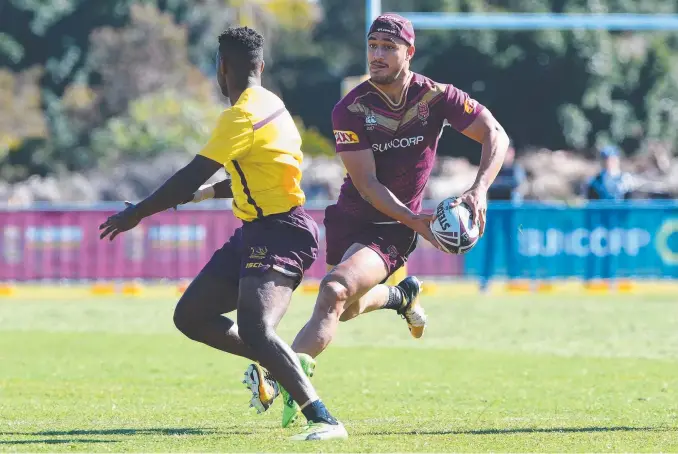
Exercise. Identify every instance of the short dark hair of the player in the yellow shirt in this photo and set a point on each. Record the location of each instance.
(242, 48)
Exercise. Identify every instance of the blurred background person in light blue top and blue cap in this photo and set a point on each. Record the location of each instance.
(610, 183)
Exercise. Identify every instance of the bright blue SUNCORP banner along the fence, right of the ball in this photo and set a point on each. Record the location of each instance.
(638, 240)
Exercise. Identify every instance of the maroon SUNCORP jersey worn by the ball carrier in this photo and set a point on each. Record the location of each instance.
(403, 137)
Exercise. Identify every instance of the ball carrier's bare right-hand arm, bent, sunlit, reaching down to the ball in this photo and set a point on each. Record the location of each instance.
(487, 131)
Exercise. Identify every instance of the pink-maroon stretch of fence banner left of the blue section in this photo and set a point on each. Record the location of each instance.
(65, 244)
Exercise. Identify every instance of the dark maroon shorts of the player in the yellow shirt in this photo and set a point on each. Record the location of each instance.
(285, 242)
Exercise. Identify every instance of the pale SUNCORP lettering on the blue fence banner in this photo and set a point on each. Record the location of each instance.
(601, 242)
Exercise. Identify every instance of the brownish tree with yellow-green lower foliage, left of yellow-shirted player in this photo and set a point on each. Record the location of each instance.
(155, 100)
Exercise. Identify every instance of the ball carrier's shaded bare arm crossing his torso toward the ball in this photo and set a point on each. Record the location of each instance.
(361, 167)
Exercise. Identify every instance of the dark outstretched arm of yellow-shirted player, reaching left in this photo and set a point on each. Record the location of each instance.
(176, 190)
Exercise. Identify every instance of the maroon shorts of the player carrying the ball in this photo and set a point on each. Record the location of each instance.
(393, 242)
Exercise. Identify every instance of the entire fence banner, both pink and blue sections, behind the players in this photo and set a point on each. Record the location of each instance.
(638, 240)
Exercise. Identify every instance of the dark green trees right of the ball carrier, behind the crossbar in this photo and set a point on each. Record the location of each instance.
(558, 89)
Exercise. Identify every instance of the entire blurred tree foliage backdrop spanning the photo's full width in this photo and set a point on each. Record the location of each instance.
(87, 80)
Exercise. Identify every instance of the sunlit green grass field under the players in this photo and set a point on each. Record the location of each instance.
(492, 373)
